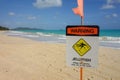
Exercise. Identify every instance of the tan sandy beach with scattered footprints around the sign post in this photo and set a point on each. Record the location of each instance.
(25, 59)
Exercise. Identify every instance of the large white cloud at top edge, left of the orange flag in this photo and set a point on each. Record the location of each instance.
(47, 3)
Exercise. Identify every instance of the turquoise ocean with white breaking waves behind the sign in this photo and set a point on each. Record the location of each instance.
(108, 38)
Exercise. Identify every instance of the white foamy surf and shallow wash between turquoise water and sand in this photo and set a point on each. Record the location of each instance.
(113, 42)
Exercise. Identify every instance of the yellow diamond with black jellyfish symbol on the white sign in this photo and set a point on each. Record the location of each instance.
(81, 47)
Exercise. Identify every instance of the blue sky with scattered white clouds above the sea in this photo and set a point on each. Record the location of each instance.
(57, 14)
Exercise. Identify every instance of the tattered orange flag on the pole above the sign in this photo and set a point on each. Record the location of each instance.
(79, 9)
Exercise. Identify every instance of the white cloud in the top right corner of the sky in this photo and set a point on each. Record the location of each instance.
(110, 4)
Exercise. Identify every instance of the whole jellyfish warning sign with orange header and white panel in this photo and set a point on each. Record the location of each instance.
(82, 45)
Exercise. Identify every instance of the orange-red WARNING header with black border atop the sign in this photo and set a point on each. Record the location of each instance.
(82, 30)
